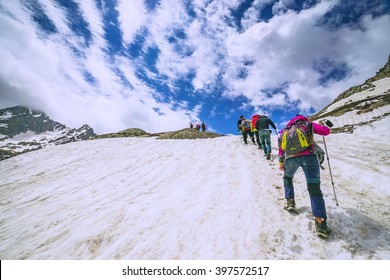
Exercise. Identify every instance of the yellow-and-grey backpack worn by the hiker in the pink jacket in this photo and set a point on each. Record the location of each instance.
(297, 137)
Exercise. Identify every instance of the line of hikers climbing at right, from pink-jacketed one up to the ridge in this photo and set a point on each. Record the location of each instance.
(296, 148)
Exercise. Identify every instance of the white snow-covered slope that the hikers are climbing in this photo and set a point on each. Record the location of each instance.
(143, 198)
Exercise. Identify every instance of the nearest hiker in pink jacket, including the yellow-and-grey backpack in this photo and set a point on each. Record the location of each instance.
(296, 150)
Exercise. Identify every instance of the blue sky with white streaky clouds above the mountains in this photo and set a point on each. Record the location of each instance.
(159, 65)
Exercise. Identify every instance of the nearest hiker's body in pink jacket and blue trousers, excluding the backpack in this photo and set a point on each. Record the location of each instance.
(308, 161)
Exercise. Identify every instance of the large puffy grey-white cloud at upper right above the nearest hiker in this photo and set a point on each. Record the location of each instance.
(283, 50)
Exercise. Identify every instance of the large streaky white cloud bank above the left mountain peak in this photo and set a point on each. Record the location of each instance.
(46, 74)
